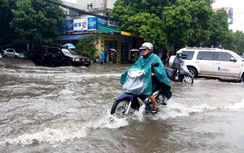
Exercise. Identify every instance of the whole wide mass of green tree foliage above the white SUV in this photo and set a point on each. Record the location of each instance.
(173, 22)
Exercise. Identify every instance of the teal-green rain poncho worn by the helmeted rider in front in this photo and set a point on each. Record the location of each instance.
(160, 72)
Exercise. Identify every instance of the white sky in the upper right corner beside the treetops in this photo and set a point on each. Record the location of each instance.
(238, 12)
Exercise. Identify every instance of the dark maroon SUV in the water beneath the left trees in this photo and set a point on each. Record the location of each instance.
(58, 56)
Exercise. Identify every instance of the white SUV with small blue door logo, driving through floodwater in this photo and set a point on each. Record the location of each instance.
(212, 62)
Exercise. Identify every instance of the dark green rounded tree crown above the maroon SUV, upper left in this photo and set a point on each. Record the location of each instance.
(37, 21)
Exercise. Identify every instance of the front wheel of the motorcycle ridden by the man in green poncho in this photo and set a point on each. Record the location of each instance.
(119, 109)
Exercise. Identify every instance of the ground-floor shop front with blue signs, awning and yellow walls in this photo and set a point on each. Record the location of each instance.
(117, 43)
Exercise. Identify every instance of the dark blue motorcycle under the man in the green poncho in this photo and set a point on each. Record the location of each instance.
(126, 103)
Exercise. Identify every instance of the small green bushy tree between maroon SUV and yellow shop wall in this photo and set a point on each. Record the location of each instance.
(85, 45)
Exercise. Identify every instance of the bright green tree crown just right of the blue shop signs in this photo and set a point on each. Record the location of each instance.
(141, 18)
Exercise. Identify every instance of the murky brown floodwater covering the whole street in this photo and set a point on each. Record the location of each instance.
(66, 110)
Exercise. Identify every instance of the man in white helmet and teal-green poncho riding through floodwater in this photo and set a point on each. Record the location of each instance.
(144, 62)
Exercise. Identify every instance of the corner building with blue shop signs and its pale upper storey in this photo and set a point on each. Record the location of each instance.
(79, 25)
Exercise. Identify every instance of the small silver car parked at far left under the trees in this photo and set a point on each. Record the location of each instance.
(15, 53)
